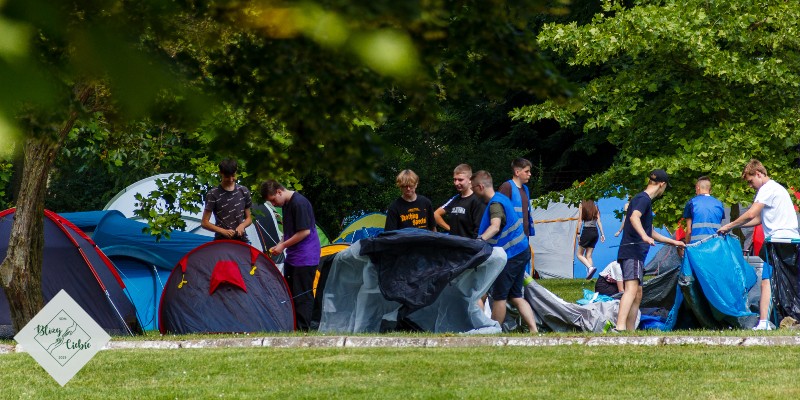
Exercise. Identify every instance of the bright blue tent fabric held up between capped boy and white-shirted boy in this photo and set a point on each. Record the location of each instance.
(724, 275)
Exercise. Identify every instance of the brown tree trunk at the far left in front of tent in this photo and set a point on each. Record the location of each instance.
(21, 270)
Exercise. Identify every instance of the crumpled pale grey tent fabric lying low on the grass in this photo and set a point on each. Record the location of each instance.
(554, 314)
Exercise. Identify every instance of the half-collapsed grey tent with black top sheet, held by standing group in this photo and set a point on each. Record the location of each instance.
(353, 299)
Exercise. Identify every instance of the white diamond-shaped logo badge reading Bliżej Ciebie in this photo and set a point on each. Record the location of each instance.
(62, 338)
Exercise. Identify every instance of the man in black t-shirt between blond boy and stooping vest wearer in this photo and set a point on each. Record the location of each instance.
(464, 210)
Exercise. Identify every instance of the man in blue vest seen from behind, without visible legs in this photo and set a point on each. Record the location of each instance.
(703, 213)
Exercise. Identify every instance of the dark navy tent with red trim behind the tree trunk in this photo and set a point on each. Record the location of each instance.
(72, 262)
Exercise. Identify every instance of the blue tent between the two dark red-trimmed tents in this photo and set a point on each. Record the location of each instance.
(144, 263)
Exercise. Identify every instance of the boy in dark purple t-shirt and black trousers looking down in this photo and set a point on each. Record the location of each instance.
(302, 247)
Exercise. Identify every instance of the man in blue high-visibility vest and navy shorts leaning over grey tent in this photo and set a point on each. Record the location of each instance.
(502, 227)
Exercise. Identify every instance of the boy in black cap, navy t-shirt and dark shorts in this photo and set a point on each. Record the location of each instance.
(637, 237)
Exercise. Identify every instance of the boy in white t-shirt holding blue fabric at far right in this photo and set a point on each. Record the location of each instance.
(773, 209)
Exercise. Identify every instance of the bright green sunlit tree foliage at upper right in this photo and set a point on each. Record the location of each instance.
(694, 87)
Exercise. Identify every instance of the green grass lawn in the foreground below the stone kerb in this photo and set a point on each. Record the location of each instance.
(566, 372)
